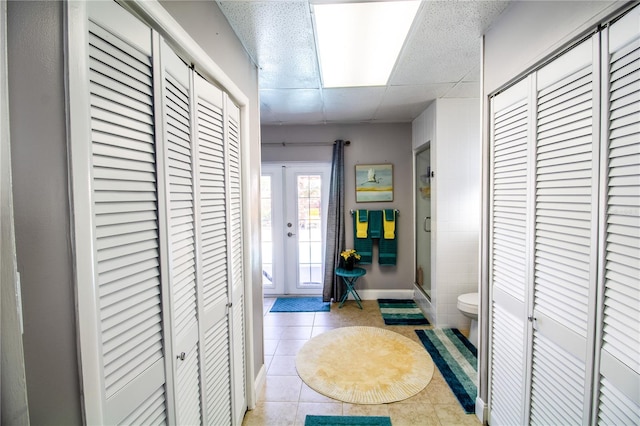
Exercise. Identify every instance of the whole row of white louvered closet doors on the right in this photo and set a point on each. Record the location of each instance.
(584, 244)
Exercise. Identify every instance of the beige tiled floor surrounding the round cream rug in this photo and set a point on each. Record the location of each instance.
(286, 400)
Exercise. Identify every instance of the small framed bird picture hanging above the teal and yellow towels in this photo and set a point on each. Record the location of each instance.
(374, 182)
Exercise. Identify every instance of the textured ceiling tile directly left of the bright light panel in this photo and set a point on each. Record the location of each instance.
(279, 36)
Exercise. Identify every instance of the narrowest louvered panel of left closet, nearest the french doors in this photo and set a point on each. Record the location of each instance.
(236, 258)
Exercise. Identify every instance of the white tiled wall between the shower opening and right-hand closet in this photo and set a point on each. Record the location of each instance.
(452, 126)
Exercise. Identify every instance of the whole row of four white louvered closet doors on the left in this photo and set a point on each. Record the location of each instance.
(161, 294)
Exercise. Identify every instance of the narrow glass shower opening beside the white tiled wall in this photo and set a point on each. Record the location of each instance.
(423, 175)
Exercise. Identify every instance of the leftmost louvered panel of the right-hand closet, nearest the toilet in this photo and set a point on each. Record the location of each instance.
(510, 141)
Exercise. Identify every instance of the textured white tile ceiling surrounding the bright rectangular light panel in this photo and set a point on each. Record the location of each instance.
(440, 58)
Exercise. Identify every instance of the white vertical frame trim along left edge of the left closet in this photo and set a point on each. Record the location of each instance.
(81, 228)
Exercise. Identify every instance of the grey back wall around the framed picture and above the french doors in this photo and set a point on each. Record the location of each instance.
(370, 144)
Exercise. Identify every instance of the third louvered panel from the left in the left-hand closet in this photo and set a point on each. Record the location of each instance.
(213, 234)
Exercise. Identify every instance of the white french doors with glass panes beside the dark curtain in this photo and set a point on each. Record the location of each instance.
(294, 208)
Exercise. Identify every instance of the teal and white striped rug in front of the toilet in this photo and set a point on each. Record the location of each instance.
(456, 358)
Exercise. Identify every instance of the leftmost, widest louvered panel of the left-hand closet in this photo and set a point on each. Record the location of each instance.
(125, 217)
